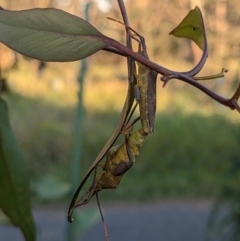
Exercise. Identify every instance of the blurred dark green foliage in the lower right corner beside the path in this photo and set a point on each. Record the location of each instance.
(224, 223)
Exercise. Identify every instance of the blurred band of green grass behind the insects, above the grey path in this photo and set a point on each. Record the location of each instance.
(197, 176)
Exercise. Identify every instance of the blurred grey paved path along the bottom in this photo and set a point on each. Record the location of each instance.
(153, 222)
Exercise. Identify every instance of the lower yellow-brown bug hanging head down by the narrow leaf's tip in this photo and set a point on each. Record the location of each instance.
(119, 159)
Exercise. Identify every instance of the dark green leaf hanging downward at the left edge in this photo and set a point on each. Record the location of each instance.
(14, 179)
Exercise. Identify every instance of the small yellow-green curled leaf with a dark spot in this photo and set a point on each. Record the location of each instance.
(192, 27)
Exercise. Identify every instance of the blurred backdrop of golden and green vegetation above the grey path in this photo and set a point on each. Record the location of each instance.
(194, 153)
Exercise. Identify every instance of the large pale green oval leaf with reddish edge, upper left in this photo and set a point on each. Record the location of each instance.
(49, 34)
